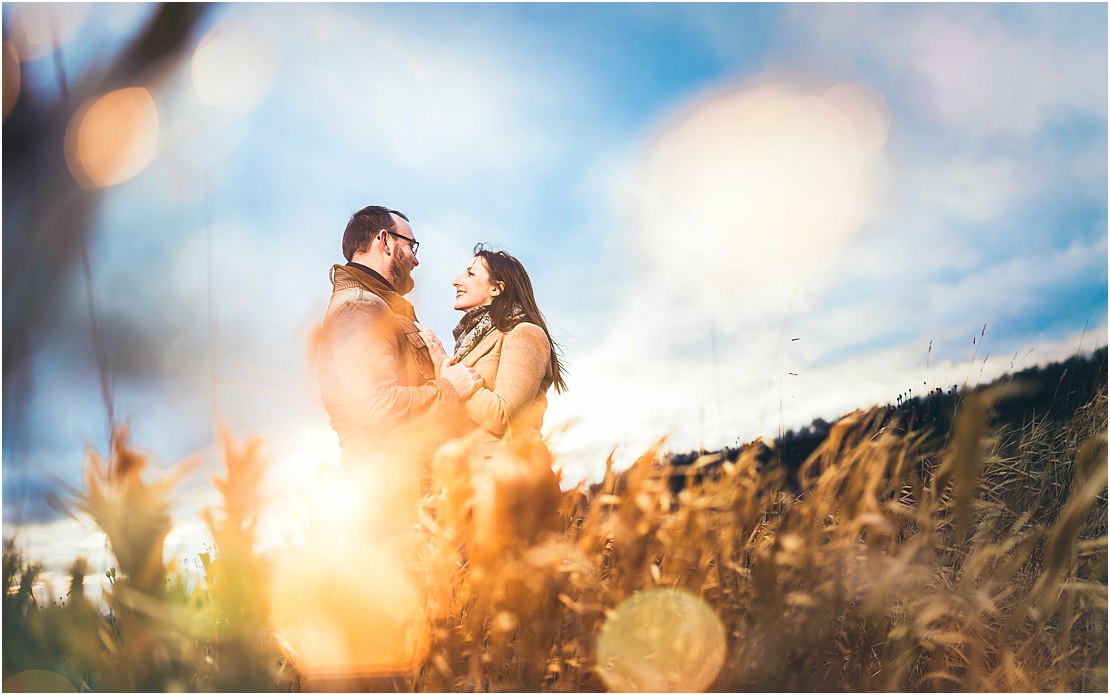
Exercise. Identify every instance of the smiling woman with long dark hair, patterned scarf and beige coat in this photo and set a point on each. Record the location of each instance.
(503, 336)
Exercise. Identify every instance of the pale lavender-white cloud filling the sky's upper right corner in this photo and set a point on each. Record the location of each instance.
(984, 70)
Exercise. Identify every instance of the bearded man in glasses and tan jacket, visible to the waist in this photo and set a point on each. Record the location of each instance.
(377, 376)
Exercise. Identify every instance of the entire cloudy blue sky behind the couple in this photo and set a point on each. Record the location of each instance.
(912, 174)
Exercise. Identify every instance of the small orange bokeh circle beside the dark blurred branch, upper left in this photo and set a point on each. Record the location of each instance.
(114, 138)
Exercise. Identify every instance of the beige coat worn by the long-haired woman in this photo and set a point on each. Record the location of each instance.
(516, 368)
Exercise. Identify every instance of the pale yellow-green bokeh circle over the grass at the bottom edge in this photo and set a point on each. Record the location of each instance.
(661, 641)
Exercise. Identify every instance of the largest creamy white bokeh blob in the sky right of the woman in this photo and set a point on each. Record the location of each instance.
(754, 180)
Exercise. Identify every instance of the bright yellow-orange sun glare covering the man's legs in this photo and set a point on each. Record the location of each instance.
(349, 601)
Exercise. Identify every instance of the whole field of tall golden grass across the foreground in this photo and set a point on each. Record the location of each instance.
(903, 561)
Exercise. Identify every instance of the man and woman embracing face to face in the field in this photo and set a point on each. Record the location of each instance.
(393, 392)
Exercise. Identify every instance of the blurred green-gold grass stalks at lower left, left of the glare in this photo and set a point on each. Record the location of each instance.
(157, 636)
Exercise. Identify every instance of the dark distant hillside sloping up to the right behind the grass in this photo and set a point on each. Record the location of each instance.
(1046, 394)
